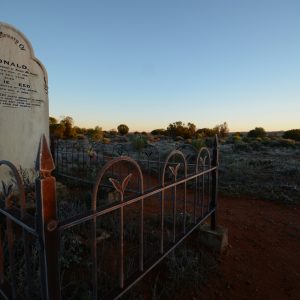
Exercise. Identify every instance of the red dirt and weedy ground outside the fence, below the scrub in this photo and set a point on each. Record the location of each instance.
(261, 262)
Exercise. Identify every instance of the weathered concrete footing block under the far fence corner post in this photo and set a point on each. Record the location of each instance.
(216, 240)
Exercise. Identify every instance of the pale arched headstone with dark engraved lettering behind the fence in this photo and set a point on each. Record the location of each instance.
(24, 107)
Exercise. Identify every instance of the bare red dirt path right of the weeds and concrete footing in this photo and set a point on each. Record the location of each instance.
(263, 257)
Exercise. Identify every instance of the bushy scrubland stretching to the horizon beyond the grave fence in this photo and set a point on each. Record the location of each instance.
(255, 164)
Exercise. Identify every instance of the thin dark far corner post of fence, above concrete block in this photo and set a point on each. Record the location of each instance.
(214, 194)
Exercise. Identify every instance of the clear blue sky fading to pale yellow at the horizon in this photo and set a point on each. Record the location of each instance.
(151, 63)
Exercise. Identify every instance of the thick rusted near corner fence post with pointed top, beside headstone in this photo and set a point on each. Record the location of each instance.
(47, 224)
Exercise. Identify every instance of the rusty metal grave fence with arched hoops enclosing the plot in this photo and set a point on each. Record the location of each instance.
(137, 211)
